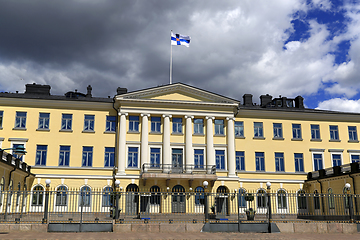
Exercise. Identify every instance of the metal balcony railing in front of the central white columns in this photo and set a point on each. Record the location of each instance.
(179, 168)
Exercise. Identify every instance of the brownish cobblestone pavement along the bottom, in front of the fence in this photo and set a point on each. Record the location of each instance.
(200, 235)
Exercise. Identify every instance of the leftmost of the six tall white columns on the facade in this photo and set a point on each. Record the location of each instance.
(122, 144)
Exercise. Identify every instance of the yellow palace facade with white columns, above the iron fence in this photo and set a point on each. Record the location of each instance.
(173, 138)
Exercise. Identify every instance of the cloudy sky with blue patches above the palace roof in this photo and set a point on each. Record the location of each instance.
(279, 47)
